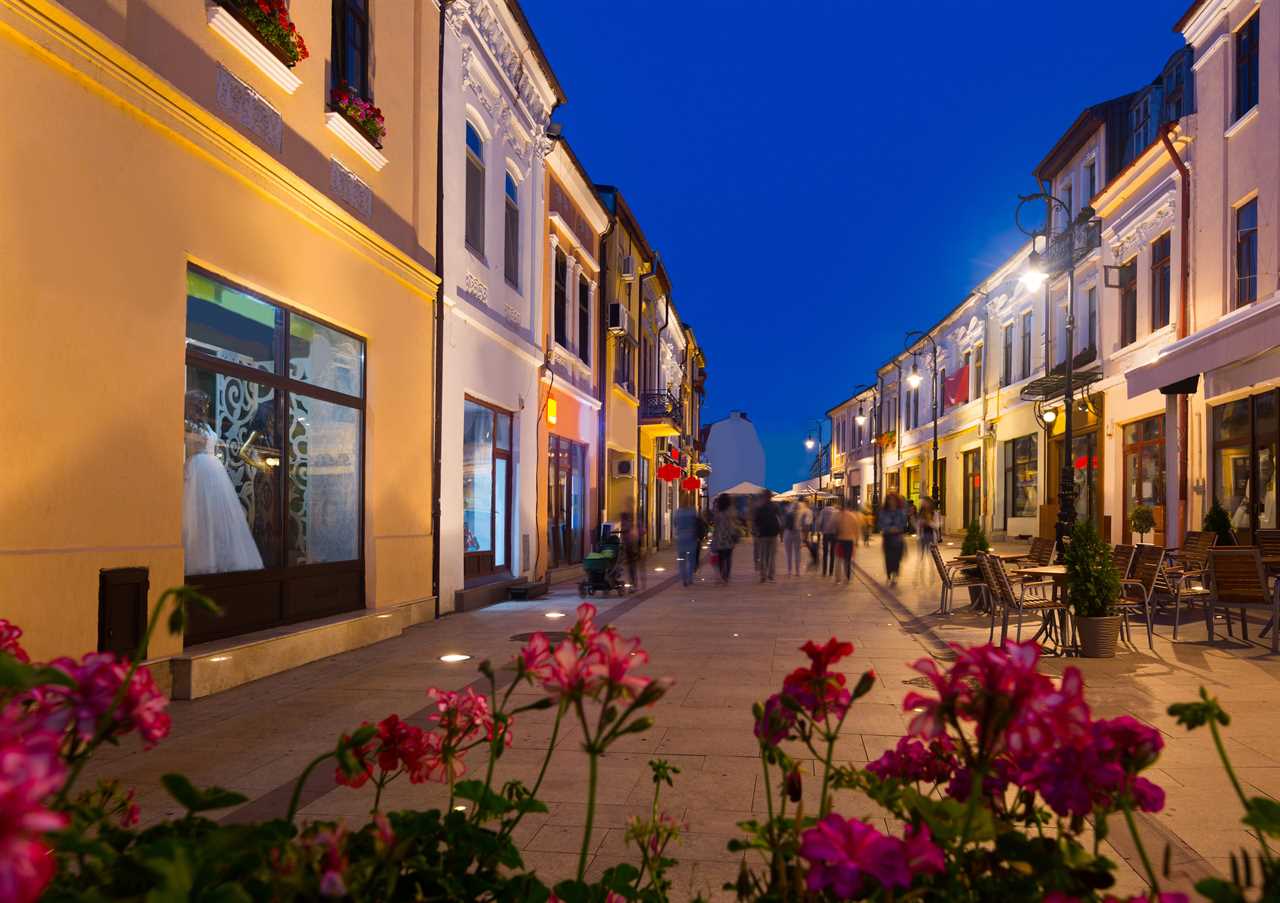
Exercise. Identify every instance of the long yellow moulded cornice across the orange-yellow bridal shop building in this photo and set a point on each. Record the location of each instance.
(65, 40)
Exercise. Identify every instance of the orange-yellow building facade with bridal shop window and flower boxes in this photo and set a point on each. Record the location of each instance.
(221, 308)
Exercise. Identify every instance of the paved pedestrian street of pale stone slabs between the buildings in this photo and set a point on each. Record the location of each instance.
(726, 647)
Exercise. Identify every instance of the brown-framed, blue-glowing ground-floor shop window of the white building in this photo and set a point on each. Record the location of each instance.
(486, 489)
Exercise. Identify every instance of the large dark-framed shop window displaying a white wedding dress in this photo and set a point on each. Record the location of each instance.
(275, 436)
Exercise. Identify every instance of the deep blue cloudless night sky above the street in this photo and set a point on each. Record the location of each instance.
(821, 177)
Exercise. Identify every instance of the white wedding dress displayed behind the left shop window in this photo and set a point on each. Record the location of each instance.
(216, 535)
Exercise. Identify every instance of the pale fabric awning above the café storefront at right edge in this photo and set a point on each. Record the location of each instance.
(1241, 335)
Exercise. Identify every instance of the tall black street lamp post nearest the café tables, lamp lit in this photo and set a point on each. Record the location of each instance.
(1039, 275)
